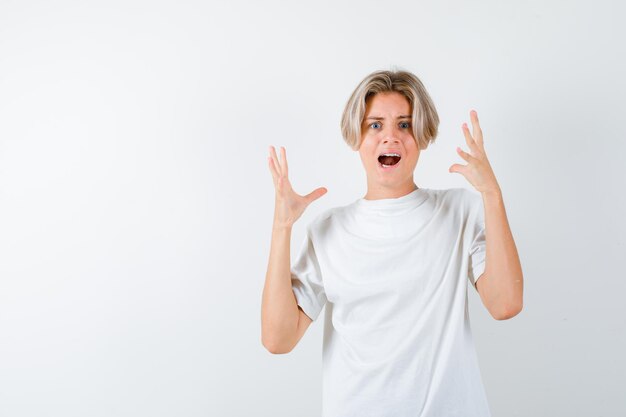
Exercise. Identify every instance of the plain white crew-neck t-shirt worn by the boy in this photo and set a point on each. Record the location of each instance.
(393, 274)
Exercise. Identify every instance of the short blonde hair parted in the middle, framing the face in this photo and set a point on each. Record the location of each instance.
(425, 120)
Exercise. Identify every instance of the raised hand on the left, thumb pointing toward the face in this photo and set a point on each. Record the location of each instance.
(289, 205)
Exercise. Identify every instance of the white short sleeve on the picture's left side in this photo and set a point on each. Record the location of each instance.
(306, 279)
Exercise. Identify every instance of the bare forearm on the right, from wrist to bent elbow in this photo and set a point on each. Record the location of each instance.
(505, 283)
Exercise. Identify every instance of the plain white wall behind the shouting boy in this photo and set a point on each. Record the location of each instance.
(136, 201)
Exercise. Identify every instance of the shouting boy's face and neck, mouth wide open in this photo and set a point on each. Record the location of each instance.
(387, 128)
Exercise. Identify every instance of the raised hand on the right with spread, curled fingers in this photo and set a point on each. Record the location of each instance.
(478, 169)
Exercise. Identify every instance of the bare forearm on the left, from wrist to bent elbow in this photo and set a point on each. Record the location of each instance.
(279, 310)
